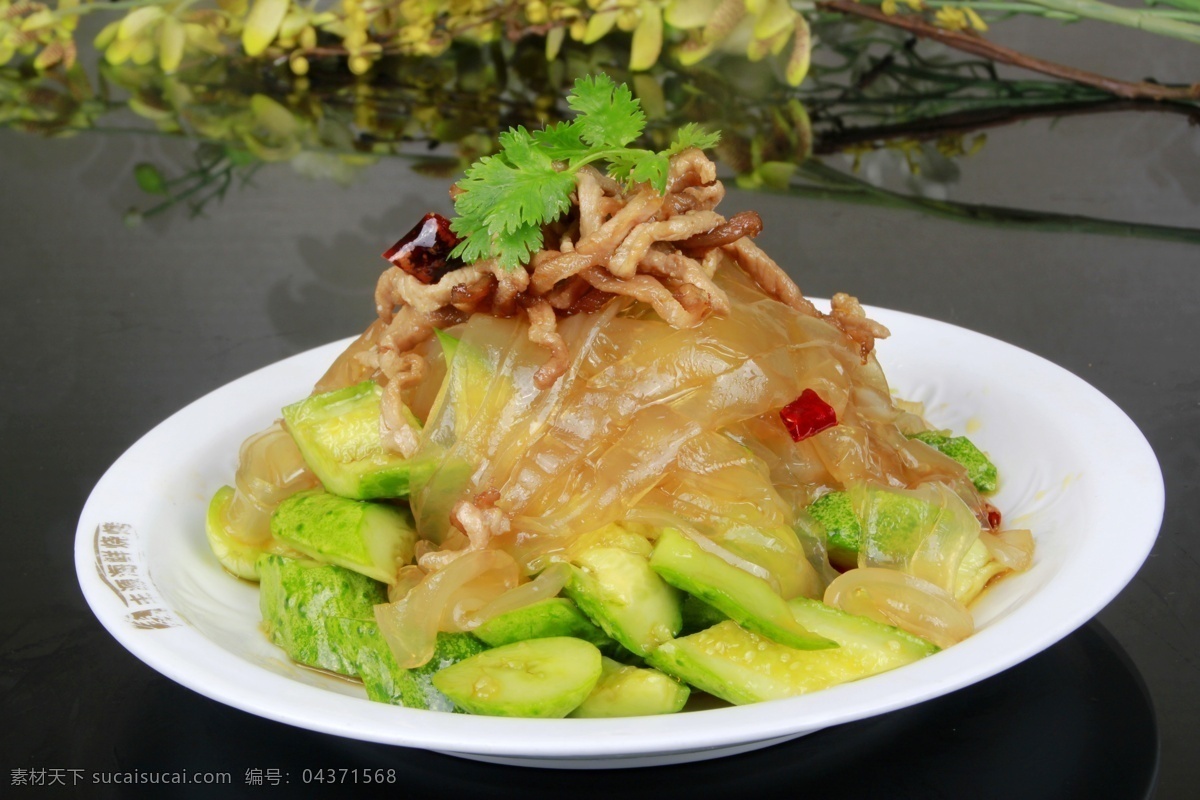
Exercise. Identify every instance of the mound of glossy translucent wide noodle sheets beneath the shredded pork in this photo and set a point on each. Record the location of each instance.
(681, 423)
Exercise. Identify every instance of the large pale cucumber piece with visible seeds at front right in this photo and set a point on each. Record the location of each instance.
(743, 667)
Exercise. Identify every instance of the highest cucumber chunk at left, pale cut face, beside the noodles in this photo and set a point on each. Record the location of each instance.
(339, 436)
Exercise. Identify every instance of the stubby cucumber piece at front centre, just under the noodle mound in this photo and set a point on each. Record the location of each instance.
(621, 593)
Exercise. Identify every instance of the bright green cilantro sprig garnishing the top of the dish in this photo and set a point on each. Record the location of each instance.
(507, 199)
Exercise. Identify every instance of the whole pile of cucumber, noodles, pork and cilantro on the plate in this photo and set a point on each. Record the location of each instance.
(598, 453)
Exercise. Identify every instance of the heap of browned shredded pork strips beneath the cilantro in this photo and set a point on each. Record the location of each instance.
(658, 250)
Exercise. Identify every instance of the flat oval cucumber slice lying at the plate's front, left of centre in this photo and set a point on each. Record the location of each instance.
(537, 678)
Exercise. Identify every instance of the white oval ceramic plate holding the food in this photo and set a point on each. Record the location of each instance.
(1075, 470)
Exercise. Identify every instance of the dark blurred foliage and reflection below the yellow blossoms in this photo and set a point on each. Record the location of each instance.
(871, 88)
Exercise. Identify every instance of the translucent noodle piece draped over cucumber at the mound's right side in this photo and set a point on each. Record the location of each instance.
(925, 532)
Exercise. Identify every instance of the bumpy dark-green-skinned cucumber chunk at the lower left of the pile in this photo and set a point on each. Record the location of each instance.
(298, 599)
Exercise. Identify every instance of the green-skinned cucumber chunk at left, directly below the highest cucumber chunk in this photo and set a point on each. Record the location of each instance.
(368, 538)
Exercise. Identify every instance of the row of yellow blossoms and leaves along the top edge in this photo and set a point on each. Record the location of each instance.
(169, 32)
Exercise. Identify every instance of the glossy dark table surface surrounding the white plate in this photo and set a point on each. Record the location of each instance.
(107, 330)
